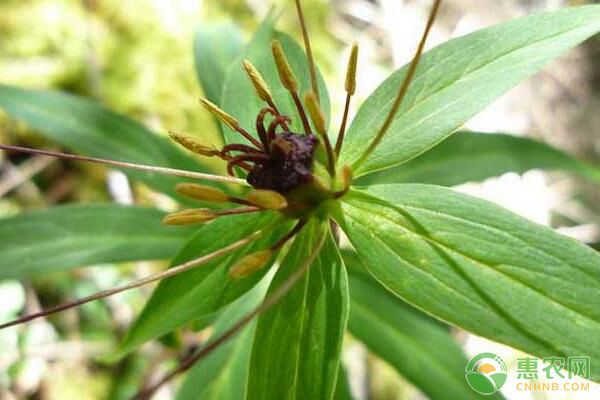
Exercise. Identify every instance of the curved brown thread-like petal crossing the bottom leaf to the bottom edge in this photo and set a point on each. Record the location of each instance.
(269, 302)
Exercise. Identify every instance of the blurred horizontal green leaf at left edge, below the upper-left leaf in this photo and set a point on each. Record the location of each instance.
(75, 236)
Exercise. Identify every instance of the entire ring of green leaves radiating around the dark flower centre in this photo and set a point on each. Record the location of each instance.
(461, 260)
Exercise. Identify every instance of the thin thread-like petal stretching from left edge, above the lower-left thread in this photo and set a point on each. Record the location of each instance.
(122, 164)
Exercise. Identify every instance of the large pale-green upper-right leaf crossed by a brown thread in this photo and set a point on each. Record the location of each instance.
(459, 78)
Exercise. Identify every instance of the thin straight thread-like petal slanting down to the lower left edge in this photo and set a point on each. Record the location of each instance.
(144, 281)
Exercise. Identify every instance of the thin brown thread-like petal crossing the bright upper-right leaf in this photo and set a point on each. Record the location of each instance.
(403, 87)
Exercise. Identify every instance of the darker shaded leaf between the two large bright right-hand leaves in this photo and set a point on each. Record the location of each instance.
(470, 156)
